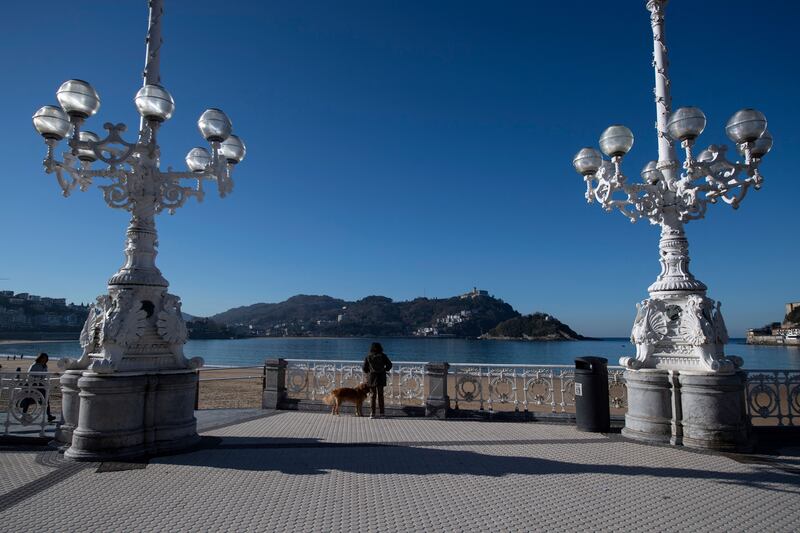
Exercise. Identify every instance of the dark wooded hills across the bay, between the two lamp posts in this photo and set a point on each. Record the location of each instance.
(474, 314)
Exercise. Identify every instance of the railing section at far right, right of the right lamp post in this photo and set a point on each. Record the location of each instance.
(773, 397)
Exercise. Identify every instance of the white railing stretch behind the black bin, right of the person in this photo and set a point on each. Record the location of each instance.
(526, 386)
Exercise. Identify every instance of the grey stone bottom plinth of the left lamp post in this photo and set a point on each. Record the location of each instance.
(127, 415)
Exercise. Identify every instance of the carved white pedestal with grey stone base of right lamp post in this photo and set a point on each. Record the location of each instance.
(682, 389)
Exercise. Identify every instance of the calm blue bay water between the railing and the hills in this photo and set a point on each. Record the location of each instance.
(253, 351)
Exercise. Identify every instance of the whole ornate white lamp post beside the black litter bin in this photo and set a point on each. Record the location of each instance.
(682, 388)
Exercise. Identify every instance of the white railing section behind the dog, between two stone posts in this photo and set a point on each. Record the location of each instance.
(312, 379)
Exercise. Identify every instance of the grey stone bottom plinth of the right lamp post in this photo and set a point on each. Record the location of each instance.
(695, 409)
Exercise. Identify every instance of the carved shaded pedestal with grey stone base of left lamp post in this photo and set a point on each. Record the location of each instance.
(132, 391)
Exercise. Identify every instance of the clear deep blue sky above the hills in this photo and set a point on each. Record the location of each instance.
(407, 148)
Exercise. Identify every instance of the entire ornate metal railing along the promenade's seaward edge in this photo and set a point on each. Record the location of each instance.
(772, 396)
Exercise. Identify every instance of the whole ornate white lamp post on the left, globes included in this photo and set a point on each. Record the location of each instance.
(136, 387)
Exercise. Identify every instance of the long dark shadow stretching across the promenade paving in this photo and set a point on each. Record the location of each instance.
(315, 457)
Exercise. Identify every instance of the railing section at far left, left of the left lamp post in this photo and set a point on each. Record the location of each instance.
(24, 397)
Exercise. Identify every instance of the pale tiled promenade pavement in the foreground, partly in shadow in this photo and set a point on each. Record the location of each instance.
(313, 472)
